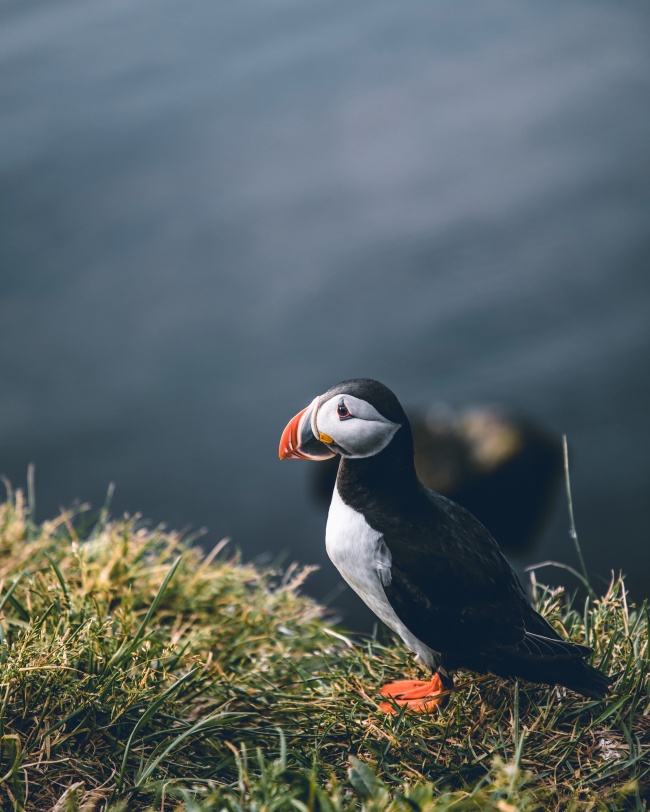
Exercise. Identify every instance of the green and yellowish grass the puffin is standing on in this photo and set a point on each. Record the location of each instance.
(137, 673)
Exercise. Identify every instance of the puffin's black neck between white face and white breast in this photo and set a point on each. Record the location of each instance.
(387, 476)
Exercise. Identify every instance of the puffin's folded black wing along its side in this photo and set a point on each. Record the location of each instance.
(450, 584)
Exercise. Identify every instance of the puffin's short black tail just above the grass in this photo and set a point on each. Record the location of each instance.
(555, 662)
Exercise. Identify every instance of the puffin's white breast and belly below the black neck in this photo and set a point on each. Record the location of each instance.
(361, 556)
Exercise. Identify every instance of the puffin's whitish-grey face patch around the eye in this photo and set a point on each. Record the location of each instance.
(351, 427)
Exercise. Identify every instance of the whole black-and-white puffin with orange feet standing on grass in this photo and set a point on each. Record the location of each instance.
(422, 563)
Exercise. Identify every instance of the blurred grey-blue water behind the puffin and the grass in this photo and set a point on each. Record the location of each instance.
(212, 212)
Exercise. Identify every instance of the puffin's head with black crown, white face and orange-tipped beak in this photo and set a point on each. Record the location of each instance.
(356, 418)
